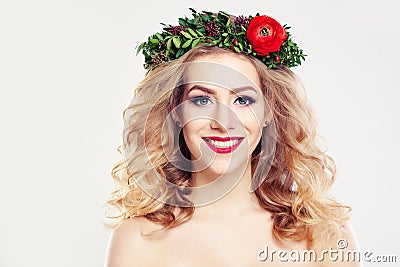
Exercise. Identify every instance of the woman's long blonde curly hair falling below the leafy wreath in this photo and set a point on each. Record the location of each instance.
(294, 191)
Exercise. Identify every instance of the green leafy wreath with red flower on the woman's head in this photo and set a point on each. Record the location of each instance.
(261, 37)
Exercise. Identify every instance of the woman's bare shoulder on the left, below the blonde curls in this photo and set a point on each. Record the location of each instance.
(126, 246)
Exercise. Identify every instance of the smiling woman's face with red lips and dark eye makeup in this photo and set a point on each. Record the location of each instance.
(222, 112)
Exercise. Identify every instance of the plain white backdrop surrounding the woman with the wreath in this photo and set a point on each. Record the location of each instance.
(67, 72)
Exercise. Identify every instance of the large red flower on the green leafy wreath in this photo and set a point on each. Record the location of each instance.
(265, 35)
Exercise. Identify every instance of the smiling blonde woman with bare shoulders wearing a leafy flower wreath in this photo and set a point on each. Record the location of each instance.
(220, 164)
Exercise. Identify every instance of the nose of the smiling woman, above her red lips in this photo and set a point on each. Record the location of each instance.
(223, 118)
